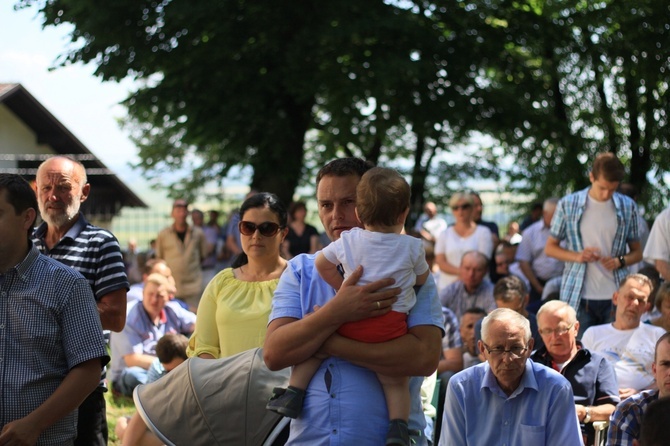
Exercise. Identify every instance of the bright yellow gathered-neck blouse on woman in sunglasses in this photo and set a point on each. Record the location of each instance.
(232, 316)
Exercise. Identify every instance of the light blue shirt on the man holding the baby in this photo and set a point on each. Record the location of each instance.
(344, 404)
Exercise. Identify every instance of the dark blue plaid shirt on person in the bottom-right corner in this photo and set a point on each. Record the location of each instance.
(626, 420)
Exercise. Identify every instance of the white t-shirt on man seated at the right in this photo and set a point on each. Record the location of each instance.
(631, 352)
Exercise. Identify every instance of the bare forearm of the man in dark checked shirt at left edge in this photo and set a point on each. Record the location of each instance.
(80, 381)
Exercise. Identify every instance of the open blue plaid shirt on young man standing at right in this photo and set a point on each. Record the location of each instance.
(565, 226)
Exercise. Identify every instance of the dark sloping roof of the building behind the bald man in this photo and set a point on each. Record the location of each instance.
(108, 192)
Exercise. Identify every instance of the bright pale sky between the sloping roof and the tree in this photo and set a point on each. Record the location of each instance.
(86, 106)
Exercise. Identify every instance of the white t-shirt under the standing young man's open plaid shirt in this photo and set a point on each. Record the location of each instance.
(598, 226)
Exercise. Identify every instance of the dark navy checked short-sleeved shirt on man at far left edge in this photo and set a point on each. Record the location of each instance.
(49, 324)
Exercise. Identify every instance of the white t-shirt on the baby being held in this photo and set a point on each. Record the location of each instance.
(382, 255)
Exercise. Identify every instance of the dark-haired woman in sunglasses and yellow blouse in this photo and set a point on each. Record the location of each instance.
(234, 309)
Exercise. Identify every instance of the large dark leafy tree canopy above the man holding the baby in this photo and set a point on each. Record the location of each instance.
(228, 83)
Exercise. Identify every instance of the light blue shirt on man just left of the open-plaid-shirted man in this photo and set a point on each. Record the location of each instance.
(531, 250)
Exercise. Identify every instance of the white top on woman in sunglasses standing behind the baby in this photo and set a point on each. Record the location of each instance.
(453, 246)
